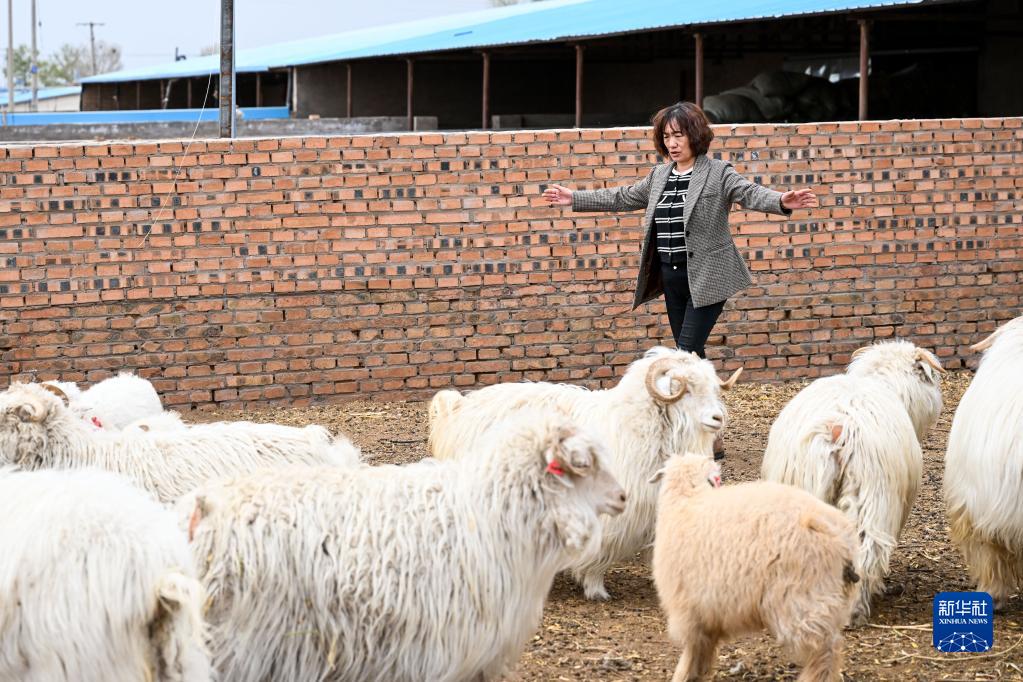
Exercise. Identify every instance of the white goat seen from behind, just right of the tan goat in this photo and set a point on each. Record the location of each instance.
(852, 440)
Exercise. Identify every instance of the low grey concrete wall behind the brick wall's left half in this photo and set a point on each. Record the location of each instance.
(157, 131)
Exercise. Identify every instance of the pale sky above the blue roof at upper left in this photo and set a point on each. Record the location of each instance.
(149, 31)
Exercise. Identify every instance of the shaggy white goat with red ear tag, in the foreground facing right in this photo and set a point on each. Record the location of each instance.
(434, 571)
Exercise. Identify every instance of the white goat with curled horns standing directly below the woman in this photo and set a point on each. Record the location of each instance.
(668, 402)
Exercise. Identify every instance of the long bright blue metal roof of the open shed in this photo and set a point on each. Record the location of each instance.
(515, 25)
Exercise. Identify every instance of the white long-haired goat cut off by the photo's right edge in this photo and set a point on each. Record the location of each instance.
(984, 482)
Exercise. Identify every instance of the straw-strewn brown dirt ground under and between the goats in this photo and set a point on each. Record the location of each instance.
(625, 639)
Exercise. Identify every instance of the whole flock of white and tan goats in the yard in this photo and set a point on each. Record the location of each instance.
(138, 547)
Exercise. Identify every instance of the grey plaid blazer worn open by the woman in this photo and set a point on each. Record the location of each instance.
(717, 269)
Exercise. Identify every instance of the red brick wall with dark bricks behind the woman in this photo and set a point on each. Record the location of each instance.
(391, 266)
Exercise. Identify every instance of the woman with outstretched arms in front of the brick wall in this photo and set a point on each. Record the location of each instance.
(688, 253)
